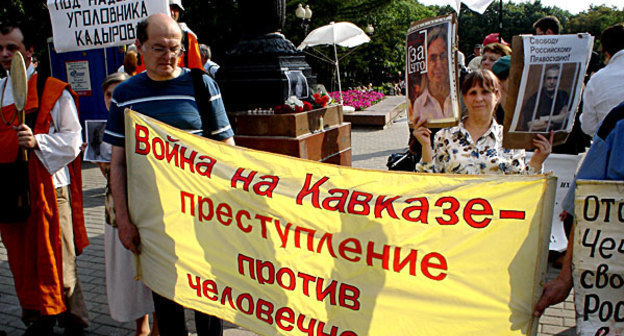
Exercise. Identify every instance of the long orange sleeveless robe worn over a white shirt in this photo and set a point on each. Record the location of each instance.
(34, 247)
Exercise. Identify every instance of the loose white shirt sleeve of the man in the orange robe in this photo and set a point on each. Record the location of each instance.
(62, 143)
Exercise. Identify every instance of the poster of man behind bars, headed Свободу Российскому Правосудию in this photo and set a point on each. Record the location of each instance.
(549, 75)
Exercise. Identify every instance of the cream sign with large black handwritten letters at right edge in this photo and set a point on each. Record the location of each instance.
(598, 261)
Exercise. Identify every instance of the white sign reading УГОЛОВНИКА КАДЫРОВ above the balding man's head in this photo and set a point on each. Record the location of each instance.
(92, 24)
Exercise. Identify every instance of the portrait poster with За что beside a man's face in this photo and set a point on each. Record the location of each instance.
(432, 72)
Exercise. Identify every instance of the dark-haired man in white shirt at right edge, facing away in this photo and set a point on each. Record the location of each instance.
(605, 89)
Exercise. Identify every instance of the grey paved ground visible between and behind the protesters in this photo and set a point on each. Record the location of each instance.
(370, 150)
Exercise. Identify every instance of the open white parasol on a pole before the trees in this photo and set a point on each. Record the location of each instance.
(344, 34)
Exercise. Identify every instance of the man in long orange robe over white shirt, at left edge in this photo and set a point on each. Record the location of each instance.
(42, 245)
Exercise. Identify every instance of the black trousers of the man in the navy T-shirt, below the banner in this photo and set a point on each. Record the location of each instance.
(171, 322)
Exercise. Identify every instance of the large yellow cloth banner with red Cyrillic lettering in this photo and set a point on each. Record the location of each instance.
(292, 247)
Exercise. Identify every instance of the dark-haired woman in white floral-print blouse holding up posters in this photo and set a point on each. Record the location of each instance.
(475, 145)
